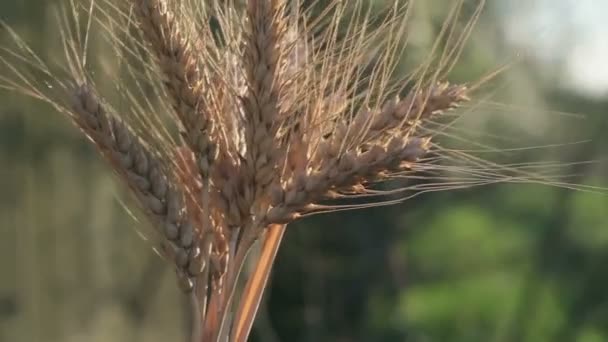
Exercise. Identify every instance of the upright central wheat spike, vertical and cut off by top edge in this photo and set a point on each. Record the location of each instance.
(263, 63)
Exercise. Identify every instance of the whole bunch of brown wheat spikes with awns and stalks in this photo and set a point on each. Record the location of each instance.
(283, 107)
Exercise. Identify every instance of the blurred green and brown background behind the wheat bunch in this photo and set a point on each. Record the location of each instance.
(497, 263)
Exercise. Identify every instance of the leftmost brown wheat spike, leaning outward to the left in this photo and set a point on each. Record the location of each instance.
(144, 175)
